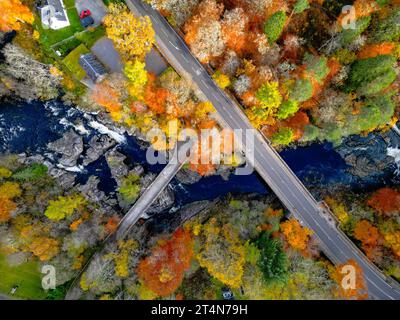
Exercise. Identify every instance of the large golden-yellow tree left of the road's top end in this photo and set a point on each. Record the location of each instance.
(133, 37)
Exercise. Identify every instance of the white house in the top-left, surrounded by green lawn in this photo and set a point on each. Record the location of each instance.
(53, 14)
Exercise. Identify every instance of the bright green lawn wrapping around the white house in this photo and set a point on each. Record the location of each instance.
(48, 37)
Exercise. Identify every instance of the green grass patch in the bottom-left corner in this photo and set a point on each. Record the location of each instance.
(26, 276)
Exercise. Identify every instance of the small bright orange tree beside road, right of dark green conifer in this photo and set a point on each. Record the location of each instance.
(296, 235)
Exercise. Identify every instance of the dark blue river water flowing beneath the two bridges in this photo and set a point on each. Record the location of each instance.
(28, 127)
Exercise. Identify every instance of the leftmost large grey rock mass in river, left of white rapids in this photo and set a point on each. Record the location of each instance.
(70, 146)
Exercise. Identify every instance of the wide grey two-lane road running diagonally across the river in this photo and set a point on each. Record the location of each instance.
(267, 161)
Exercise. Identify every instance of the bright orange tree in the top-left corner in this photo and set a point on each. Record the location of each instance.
(13, 15)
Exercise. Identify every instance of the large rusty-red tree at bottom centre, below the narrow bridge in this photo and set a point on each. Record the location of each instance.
(162, 272)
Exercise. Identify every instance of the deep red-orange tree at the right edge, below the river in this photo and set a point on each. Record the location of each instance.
(385, 201)
